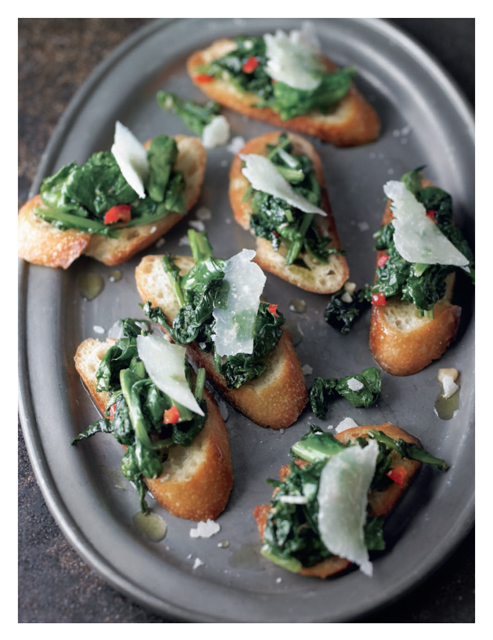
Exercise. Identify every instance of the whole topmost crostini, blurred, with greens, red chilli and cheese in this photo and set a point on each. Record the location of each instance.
(284, 79)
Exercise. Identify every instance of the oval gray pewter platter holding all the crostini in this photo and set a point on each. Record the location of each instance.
(425, 120)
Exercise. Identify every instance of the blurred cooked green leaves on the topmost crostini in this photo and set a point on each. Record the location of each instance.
(278, 96)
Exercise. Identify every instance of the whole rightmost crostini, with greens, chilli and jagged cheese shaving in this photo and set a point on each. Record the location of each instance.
(413, 320)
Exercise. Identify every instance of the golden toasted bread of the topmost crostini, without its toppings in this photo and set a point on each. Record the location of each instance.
(353, 122)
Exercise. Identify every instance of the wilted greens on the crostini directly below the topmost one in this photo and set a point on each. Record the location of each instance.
(282, 224)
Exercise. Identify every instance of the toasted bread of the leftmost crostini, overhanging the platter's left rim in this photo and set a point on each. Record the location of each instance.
(40, 242)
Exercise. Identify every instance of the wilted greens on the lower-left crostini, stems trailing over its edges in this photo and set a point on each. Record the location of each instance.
(135, 410)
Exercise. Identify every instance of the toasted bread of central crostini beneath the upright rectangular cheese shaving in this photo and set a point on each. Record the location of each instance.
(276, 398)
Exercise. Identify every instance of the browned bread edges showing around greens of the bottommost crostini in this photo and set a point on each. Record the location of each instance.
(380, 503)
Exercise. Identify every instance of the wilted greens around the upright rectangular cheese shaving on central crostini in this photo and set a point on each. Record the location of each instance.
(197, 292)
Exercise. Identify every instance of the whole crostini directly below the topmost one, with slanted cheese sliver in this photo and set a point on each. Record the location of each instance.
(277, 191)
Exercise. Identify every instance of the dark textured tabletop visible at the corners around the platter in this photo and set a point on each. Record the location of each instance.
(55, 585)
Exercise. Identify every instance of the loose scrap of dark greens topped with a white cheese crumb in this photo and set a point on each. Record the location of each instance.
(323, 390)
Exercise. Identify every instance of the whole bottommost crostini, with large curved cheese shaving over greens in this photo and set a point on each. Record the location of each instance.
(328, 510)
